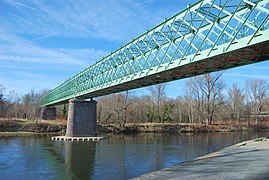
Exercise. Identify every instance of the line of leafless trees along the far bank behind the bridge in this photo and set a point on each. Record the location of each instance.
(205, 99)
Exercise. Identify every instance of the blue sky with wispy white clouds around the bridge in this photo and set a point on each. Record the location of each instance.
(42, 43)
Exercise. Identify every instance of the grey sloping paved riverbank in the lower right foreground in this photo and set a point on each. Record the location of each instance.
(245, 160)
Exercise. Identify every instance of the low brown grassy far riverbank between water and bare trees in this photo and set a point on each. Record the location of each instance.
(58, 126)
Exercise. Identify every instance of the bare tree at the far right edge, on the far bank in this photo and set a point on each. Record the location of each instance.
(257, 93)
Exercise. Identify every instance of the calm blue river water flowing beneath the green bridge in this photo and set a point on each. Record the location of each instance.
(118, 157)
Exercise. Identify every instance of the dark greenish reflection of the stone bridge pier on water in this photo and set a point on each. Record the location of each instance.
(70, 159)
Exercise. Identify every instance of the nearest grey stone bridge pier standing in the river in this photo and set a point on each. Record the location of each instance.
(81, 120)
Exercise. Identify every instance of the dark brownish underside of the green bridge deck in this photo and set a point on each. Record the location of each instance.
(249, 55)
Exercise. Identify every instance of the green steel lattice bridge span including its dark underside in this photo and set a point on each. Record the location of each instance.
(207, 36)
